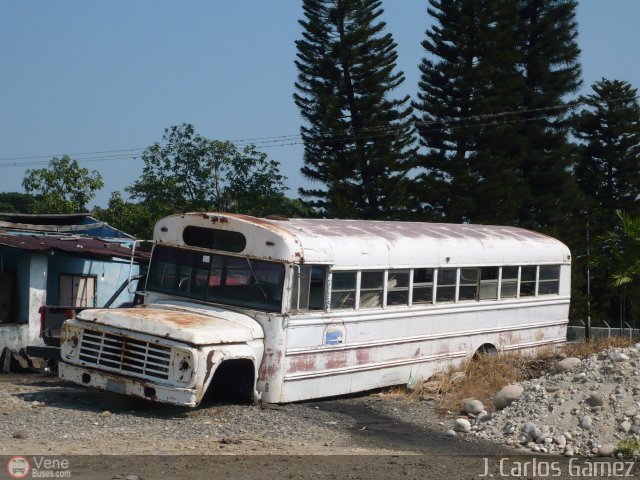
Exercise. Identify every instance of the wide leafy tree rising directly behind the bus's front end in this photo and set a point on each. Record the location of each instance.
(189, 172)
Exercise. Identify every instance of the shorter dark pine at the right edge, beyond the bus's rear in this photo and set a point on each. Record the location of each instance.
(608, 130)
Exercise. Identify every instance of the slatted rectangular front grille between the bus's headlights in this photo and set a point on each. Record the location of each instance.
(125, 354)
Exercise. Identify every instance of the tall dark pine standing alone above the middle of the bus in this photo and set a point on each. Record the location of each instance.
(358, 139)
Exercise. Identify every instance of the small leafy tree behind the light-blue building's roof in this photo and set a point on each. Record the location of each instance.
(62, 187)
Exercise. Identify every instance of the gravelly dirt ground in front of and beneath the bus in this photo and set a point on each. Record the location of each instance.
(374, 435)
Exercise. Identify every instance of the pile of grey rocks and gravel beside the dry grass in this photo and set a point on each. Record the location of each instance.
(586, 407)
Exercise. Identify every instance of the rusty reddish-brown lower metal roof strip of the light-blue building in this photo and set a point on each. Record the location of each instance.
(83, 246)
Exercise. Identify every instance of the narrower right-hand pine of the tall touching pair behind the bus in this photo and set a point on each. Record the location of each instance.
(551, 69)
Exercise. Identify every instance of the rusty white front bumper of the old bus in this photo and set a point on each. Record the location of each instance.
(127, 386)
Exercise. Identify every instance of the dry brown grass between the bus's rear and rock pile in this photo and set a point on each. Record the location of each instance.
(484, 375)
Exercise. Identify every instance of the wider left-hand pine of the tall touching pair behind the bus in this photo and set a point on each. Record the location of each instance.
(471, 169)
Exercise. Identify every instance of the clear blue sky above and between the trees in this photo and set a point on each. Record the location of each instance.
(86, 76)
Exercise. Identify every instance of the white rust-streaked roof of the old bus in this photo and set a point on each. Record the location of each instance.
(372, 243)
